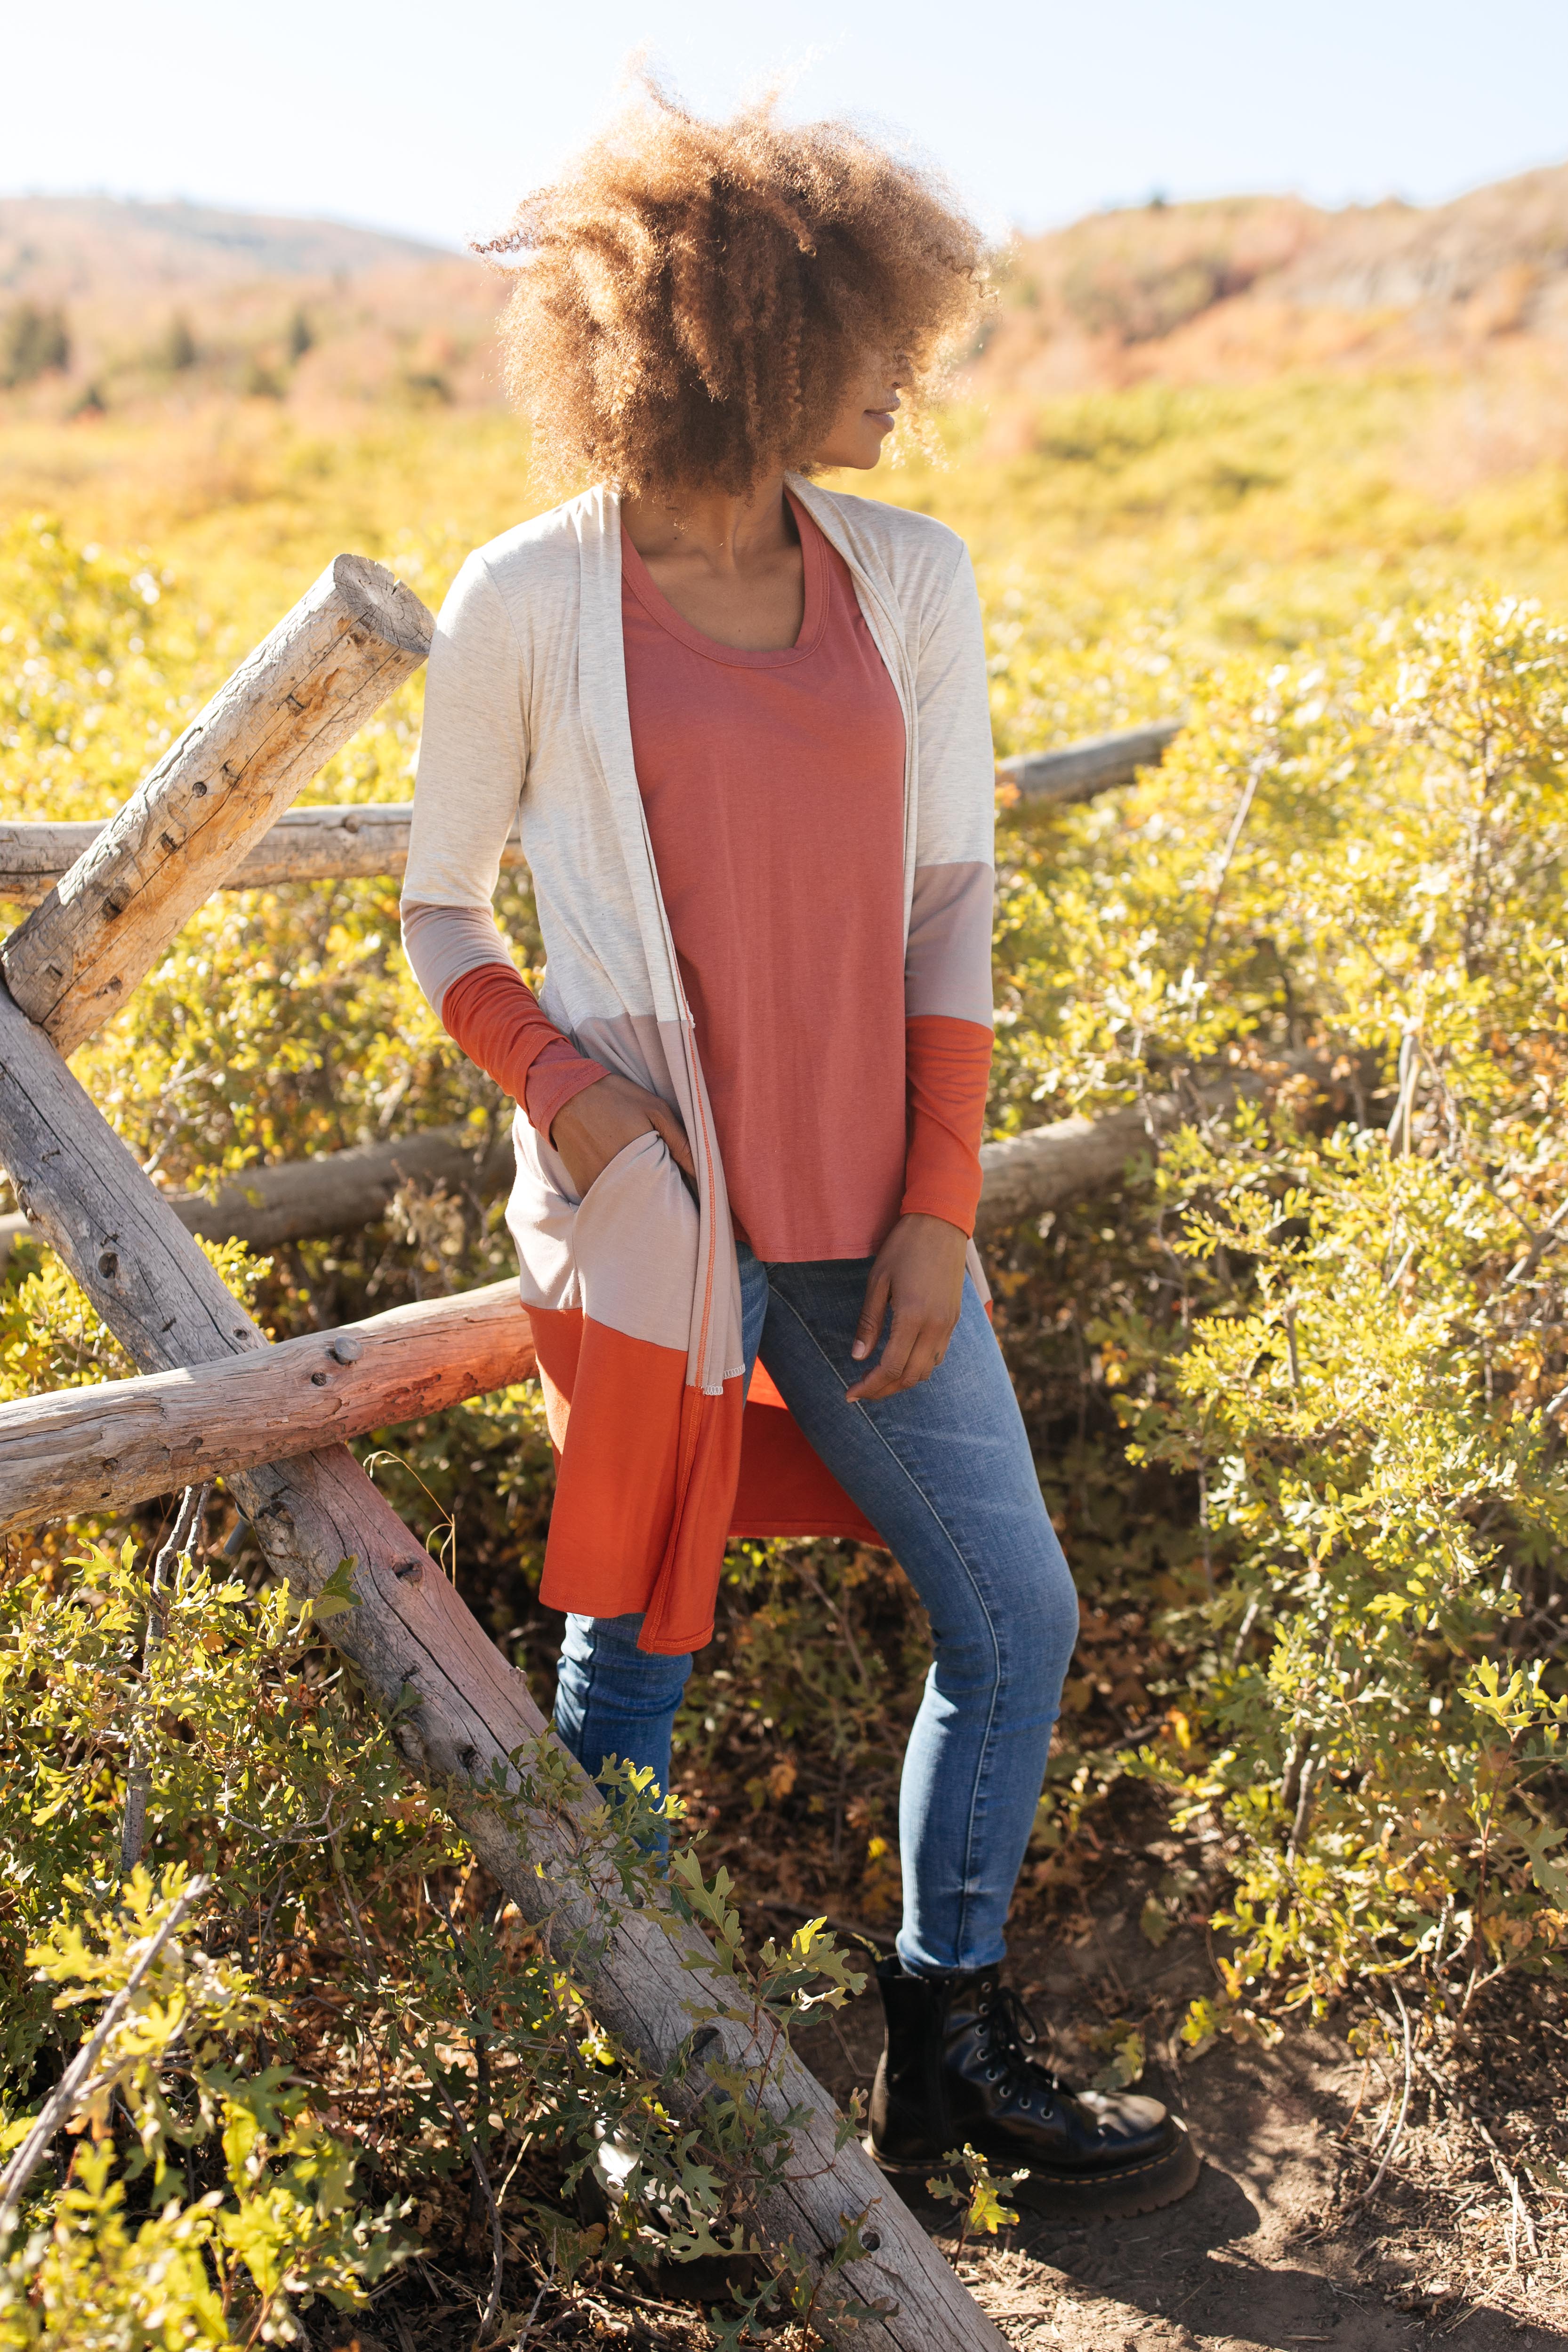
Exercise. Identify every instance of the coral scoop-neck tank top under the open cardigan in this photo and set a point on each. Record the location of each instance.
(775, 796)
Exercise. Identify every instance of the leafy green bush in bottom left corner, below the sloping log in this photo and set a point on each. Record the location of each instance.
(351, 2012)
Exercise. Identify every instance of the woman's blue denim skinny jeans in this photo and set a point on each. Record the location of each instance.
(946, 1476)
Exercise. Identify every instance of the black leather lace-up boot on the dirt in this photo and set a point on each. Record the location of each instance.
(958, 2069)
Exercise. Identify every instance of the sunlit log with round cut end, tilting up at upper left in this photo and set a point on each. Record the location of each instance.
(286, 711)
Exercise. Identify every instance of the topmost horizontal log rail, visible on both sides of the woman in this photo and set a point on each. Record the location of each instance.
(361, 841)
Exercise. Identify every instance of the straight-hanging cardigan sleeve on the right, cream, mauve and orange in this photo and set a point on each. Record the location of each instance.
(949, 958)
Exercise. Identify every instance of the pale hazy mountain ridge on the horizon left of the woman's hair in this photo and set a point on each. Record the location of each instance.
(55, 248)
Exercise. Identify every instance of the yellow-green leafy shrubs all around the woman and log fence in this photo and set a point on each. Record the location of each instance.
(1296, 1389)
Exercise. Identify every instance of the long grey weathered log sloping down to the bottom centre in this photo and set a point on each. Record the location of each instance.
(460, 1713)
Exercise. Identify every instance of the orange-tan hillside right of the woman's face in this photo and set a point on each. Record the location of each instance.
(1252, 286)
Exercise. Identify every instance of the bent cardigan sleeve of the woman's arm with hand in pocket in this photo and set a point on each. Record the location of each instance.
(474, 761)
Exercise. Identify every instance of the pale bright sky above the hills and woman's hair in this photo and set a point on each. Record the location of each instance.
(436, 119)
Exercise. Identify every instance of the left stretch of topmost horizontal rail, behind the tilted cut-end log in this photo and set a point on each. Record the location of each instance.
(337, 843)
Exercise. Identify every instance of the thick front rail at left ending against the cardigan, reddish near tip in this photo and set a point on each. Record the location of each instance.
(121, 1443)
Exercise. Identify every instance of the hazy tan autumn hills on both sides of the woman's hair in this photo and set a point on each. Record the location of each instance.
(130, 307)
